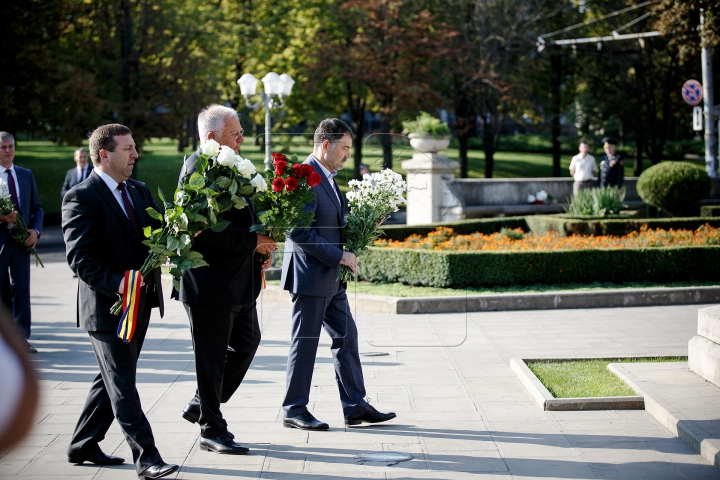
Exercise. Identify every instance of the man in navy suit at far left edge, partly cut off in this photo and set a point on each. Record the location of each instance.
(20, 185)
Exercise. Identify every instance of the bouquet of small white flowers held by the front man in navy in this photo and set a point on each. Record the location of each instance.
(370, 200)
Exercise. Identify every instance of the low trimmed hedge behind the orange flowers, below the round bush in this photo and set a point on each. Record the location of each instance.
(612, 226)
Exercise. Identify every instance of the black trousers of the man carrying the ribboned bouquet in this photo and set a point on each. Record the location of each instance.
(113, 395)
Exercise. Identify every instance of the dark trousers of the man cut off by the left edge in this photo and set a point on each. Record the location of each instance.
(17, 258)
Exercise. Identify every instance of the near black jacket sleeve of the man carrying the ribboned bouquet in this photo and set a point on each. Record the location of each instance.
(79, 218)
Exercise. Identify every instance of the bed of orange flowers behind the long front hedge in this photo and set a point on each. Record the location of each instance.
(444, 238)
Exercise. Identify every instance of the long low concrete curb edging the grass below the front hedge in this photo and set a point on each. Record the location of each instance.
(525, 301)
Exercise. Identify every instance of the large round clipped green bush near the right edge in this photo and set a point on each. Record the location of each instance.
(675, 187)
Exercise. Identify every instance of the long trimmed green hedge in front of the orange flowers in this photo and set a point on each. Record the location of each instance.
(489, 269)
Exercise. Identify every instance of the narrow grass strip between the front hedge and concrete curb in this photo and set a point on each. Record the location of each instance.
(402, 290)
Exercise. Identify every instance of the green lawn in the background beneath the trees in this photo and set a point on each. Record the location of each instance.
(160, 164)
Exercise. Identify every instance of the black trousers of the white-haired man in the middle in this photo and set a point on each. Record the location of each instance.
(220, 369)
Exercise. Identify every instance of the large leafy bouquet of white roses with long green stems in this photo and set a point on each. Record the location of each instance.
(220, 181)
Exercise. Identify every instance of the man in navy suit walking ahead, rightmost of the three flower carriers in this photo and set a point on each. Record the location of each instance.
(311, 265)
